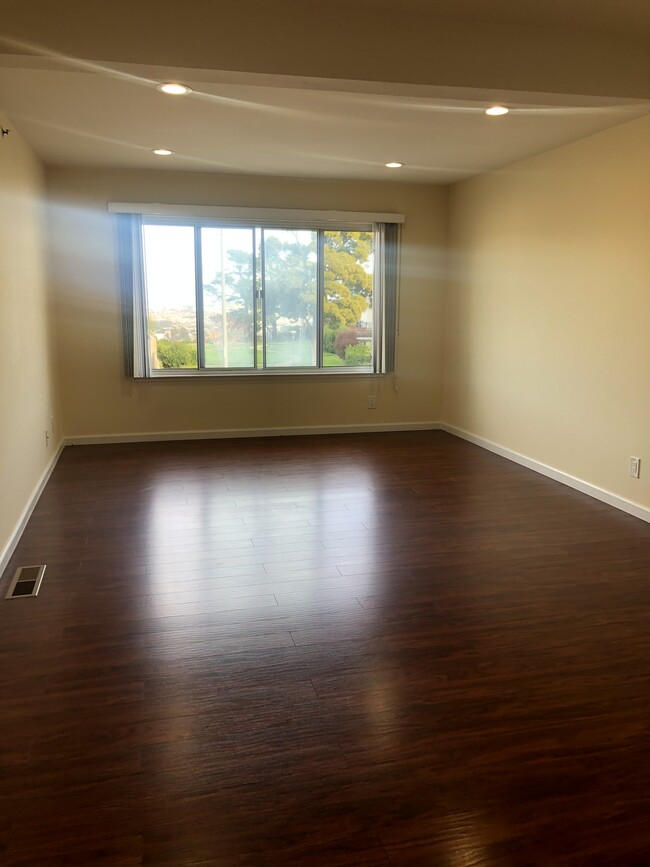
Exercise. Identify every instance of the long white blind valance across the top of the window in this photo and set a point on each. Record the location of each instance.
(253, 215)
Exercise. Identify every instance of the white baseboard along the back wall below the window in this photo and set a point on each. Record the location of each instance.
(236, 433)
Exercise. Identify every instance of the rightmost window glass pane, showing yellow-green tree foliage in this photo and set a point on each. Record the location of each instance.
(347, 314)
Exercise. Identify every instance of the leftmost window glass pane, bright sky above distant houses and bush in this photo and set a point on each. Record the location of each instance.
(171, 298)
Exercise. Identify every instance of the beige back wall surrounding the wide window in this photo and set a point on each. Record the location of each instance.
(99, 400)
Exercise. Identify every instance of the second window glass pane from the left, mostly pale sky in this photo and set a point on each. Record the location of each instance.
(228, 299)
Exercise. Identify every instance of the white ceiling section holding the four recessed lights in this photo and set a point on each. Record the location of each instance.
(77, 113)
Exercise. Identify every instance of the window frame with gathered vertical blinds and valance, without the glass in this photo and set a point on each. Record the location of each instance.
(135, 308)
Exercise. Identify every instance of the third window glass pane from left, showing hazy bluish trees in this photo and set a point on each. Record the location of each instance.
(291, 297)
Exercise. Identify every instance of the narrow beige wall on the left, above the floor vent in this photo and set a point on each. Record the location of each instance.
(27, 395)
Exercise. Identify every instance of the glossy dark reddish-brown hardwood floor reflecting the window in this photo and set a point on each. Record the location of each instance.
(390, 649)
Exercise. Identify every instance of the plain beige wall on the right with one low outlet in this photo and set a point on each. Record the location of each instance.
(548, 310)
